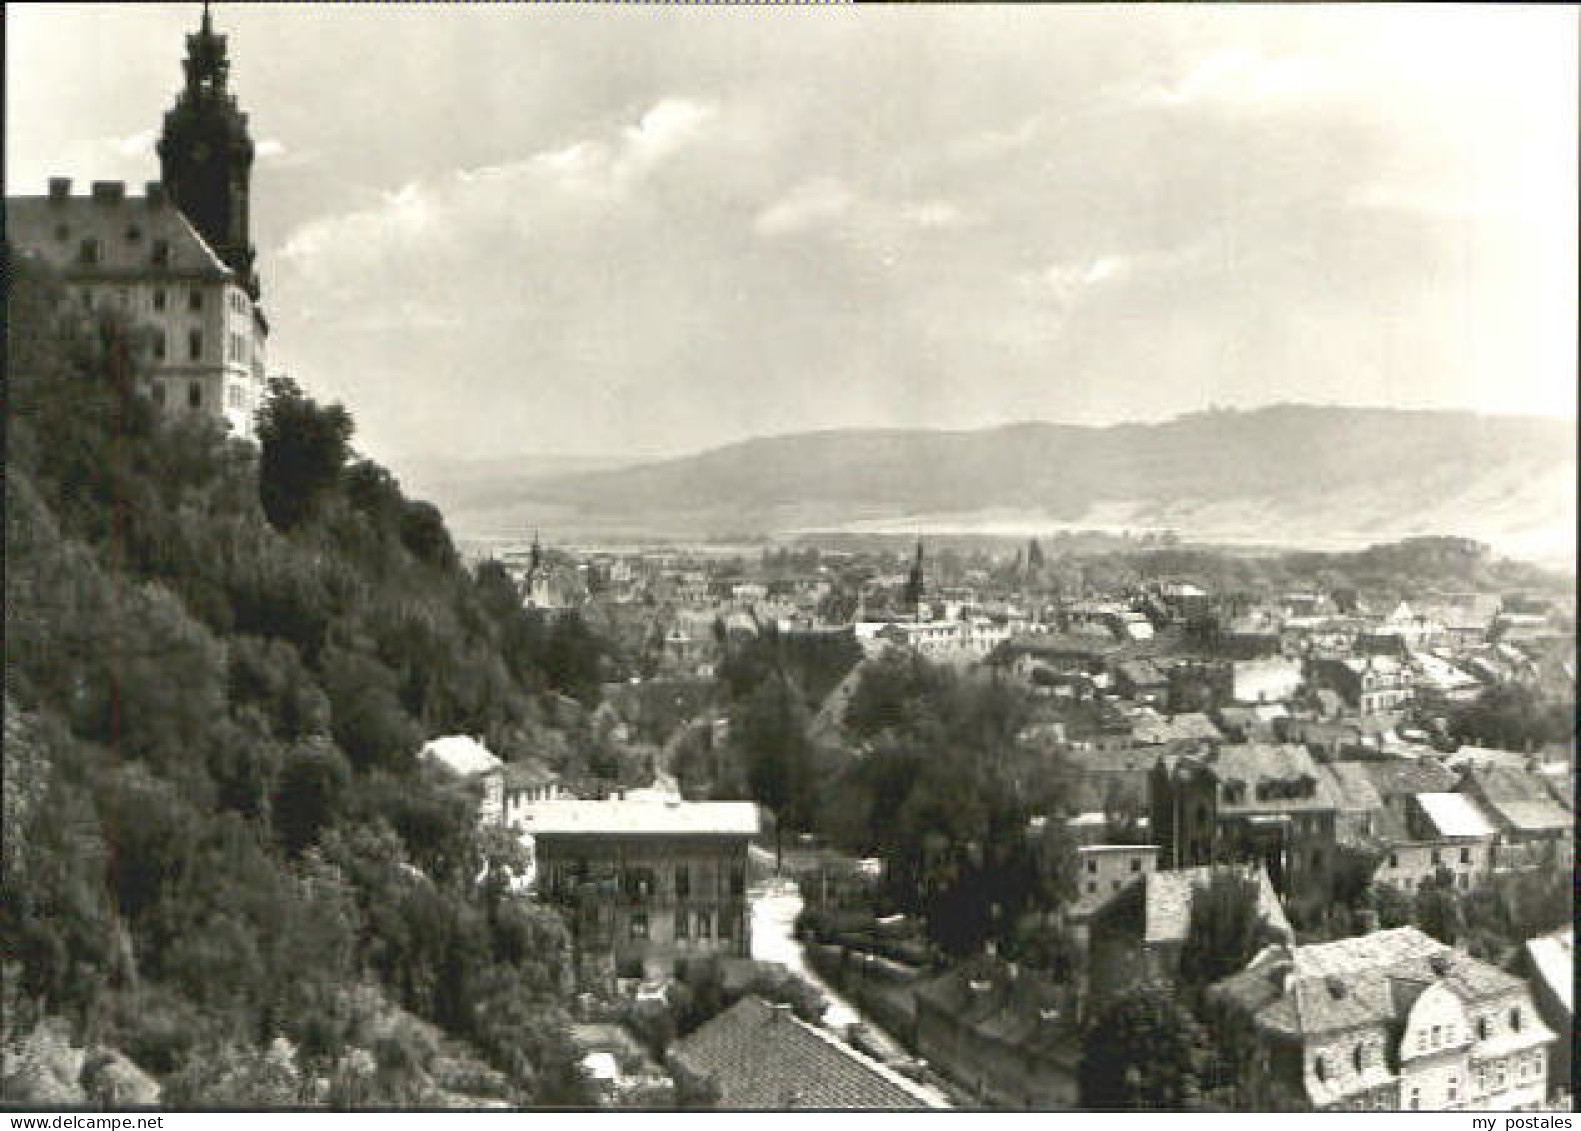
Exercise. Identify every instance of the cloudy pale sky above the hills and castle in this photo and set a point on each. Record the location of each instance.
(497, 230)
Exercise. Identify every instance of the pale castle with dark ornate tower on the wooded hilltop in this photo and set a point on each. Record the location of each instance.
(176, 260)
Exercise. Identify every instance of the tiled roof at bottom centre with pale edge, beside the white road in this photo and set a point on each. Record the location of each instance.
(763, 1057)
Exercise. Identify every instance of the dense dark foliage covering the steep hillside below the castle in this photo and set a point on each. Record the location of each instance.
(222, 857)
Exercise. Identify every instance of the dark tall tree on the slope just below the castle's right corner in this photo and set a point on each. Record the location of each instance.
(304, 447)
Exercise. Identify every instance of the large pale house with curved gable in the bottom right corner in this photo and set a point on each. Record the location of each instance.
(1389, 1021)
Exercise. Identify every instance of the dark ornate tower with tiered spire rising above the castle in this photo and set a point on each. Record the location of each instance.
(206, 154)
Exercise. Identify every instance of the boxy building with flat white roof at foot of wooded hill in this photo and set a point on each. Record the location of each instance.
(647, 883)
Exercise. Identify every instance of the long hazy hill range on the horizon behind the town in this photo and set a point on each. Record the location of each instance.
(1289, 475)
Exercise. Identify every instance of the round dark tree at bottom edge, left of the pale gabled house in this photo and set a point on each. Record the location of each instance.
(1145, 1053)
